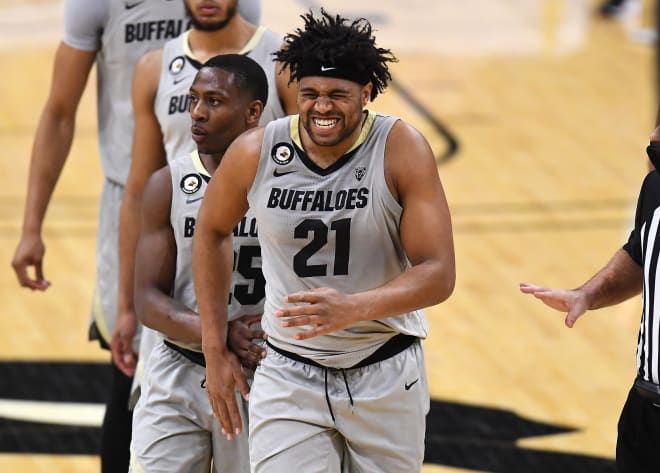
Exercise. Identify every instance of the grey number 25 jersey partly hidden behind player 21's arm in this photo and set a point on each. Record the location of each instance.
(189, 181)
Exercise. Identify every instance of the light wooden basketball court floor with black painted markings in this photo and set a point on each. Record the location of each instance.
(539, 112)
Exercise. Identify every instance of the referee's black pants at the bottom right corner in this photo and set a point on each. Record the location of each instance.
(638, 441)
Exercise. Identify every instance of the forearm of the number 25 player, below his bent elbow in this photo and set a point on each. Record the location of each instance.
(160, 312)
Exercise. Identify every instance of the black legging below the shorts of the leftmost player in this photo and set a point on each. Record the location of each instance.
(116, 429)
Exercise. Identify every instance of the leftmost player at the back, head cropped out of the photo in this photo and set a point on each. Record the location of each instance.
(112, 34)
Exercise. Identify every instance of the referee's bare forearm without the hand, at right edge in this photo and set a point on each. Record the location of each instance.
(619, 280)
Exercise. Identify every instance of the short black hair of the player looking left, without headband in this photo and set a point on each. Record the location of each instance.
(249, 75)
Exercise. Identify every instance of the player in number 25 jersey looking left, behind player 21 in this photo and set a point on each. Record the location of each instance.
(174, 428)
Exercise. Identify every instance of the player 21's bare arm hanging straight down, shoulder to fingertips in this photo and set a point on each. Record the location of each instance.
(225, 203)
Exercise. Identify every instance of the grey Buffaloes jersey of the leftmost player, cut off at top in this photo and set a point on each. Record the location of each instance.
(133, 28)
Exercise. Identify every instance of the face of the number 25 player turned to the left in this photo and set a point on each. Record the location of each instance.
(219, 110)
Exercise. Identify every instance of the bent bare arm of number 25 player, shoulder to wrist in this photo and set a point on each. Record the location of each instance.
(155, 267)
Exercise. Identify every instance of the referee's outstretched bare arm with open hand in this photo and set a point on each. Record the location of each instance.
(619, 280)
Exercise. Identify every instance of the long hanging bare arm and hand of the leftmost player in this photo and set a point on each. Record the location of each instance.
(50, 150)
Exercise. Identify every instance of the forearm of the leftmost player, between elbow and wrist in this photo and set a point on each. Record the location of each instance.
(51, 147)
